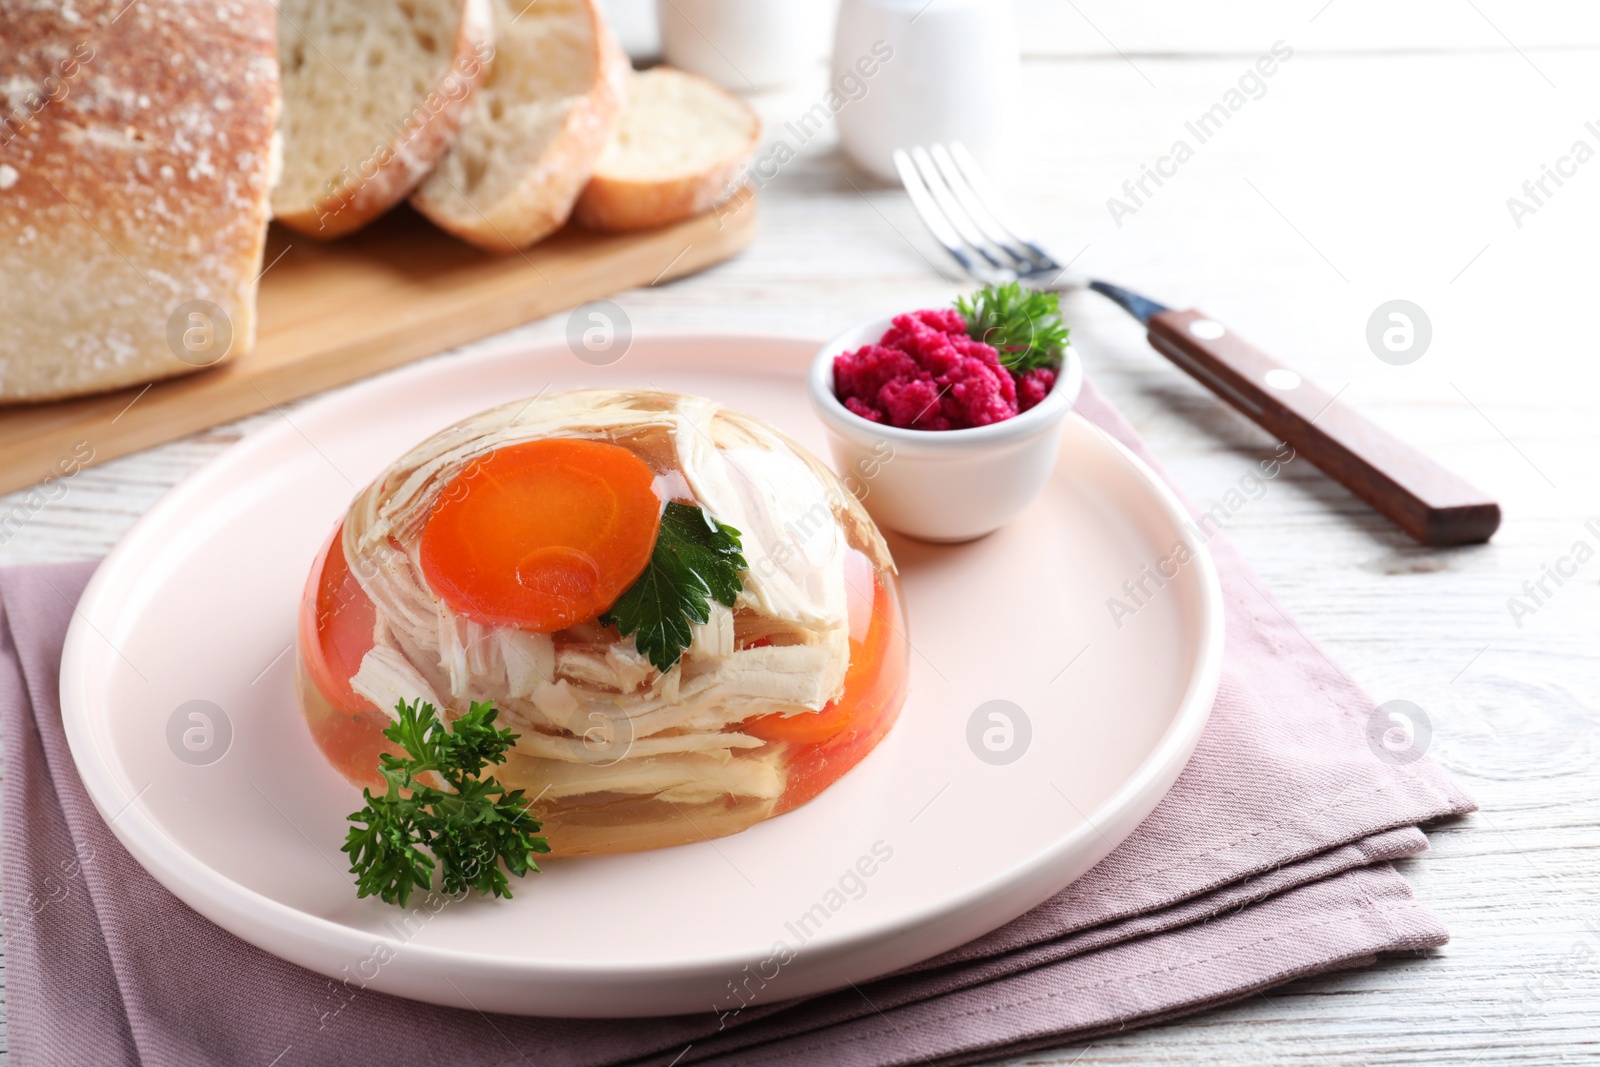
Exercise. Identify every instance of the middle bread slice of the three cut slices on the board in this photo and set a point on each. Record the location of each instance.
(538, 124)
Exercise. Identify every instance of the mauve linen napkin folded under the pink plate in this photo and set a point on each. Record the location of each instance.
(1265, 863)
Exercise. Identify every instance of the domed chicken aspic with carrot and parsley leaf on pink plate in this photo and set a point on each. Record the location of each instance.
(553, 556)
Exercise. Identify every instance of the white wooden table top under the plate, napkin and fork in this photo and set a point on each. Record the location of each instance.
(1377, 166)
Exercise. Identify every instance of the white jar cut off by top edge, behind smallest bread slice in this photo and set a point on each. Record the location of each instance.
(746, 44)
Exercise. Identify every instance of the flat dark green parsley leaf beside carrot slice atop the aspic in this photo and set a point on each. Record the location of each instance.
(697, 559)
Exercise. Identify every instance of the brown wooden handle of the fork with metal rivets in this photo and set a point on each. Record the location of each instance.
(1422, 497)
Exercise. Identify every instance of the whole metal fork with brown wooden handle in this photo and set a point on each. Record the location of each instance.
(967, 215)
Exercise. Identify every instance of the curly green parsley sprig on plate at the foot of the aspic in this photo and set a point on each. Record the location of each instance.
(476, 829)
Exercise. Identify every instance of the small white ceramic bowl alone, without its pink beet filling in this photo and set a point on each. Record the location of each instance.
(942, 486)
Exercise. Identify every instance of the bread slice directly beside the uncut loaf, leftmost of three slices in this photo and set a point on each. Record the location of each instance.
(374, 95)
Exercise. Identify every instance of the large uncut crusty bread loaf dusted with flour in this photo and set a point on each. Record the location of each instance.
(135, 175)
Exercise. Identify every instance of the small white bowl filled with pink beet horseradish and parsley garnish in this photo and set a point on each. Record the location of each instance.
(948, 422)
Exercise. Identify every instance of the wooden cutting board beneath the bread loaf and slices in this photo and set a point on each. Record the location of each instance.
(335, 313)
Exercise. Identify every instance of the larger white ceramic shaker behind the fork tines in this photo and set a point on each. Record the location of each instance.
(954, 74)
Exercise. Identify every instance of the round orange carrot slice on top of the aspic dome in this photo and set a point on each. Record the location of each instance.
(542, 535)
